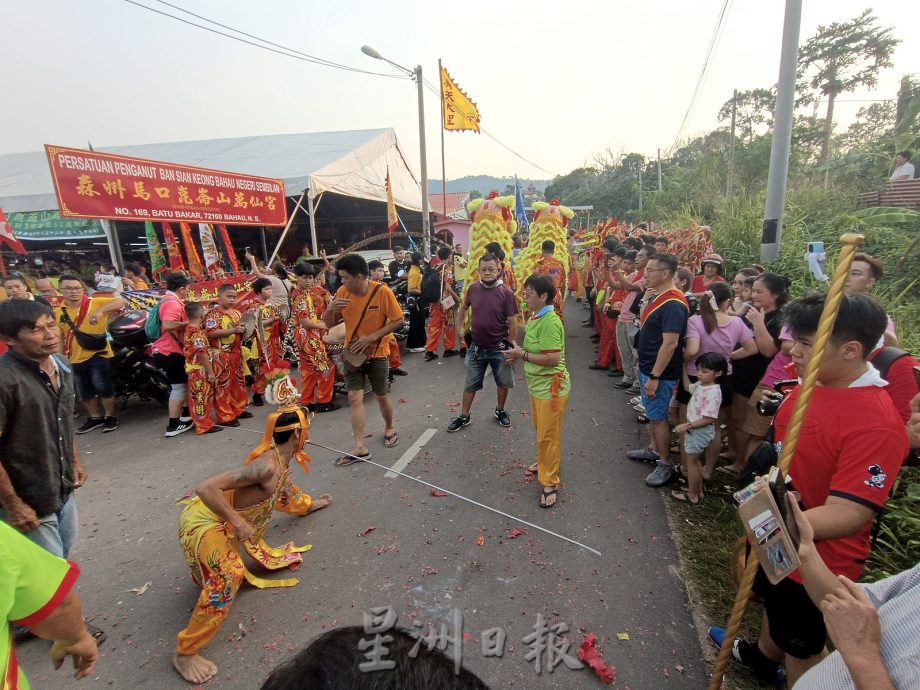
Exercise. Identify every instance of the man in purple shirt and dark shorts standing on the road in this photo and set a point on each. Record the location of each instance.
(494, 320)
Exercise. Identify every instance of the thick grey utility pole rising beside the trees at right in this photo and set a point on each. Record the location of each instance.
(772, 231)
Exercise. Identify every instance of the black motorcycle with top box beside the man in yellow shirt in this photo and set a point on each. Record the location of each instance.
(133, 370)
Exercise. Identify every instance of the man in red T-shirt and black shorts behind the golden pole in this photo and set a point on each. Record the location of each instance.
(850, 449)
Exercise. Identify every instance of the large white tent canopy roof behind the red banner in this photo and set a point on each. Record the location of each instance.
(353, 163)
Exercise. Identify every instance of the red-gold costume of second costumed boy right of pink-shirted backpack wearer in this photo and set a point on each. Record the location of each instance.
(230, 397)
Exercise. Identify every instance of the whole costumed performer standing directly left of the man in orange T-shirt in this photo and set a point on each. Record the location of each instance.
(317, 374)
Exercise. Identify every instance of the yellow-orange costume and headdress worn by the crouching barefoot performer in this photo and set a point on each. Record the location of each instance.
(213, 553)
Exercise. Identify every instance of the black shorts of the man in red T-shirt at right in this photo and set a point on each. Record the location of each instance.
(796, 624)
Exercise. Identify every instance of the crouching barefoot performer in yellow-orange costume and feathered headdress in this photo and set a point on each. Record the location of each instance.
(229, 516)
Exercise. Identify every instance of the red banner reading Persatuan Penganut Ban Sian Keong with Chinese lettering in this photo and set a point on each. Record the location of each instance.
(90, 184)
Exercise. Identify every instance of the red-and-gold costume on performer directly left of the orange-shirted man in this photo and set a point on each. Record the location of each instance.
(317, 374)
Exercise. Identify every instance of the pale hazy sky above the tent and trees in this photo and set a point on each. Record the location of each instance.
(555, 81)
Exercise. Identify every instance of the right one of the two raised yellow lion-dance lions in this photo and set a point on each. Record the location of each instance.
(547, 250)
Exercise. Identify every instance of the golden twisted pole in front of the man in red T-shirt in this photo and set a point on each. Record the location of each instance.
(849, 244)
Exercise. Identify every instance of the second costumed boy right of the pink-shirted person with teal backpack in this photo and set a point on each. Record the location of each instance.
(224, 327)
